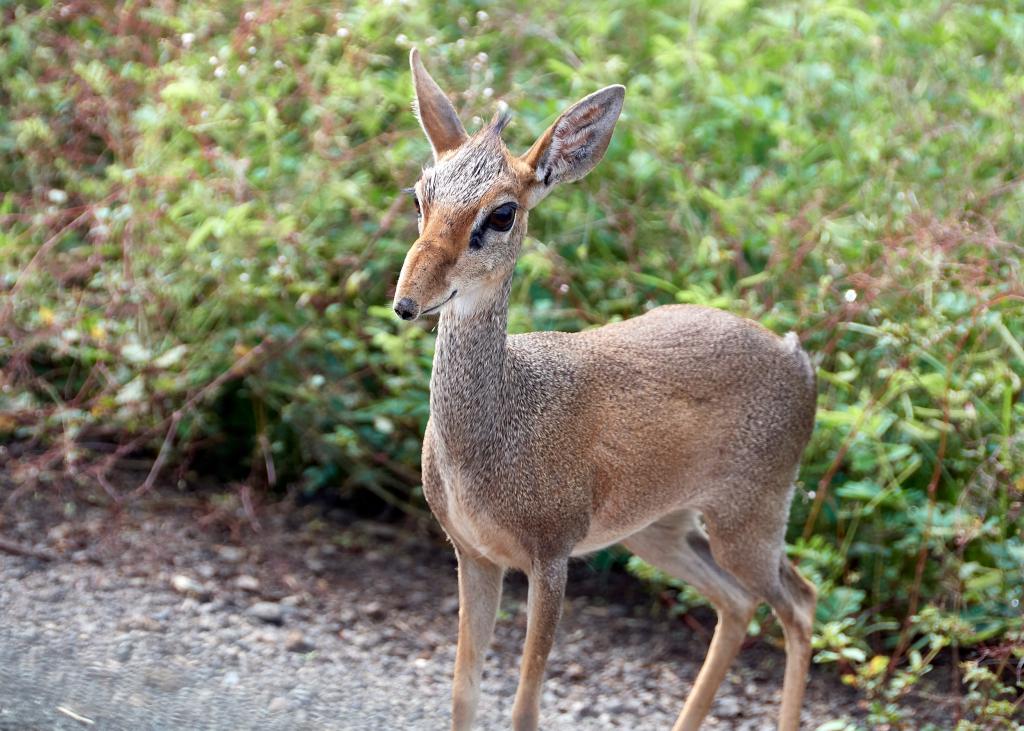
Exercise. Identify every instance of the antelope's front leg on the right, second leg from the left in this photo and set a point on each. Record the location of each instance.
(547, 591)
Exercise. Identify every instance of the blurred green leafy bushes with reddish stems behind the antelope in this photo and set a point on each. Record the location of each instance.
(201, 228)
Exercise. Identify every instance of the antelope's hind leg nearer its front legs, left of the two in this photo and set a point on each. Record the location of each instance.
(678, 545)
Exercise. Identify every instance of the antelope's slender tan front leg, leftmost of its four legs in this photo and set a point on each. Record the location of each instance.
(480, 594)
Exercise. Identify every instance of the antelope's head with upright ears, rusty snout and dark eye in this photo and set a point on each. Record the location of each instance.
(473, 204)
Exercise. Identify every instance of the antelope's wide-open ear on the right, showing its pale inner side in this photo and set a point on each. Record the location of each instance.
(576, 143)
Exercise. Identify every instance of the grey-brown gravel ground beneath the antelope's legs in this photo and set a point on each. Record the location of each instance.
(176, 614)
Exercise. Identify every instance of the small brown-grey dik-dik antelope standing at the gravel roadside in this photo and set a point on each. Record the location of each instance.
(677, 434)
